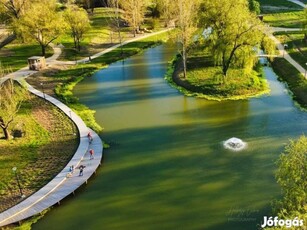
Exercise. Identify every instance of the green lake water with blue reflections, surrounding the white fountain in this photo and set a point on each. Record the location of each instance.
(167, 168)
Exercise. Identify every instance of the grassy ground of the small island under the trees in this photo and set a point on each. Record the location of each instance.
(204, 80)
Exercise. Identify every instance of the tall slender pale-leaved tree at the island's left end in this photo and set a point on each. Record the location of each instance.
(186, 26)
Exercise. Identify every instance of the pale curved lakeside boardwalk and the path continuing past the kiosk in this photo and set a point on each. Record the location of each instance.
(61, 186)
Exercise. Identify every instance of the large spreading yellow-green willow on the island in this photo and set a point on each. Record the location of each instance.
(235, 32)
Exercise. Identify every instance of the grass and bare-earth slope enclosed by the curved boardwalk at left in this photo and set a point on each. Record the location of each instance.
(38, 155)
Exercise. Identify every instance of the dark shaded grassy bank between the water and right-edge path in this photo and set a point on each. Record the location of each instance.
(295, 81)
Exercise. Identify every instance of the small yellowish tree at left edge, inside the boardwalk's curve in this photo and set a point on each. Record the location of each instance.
(11, 98)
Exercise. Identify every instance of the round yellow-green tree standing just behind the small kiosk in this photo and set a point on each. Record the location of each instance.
(42, 23)
